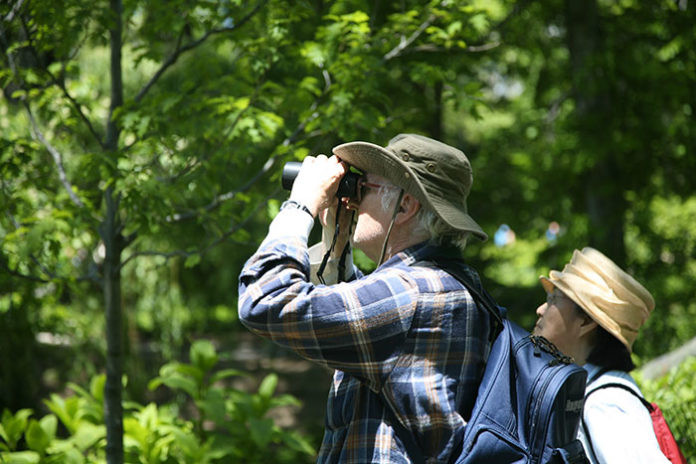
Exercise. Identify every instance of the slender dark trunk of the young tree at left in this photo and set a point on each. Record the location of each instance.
(110, 231)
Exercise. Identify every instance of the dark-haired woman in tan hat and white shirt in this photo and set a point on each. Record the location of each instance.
(593, 312)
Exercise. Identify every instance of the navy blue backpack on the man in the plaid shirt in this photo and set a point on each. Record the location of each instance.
(529, 403)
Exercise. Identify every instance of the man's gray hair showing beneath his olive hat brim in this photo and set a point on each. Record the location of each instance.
(428, 223)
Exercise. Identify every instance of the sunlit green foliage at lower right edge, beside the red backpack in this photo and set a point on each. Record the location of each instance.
(675, 394)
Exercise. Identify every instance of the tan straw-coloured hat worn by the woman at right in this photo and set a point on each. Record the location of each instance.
(611, 297)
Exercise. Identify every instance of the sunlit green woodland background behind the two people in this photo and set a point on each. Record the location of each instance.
(141, 145)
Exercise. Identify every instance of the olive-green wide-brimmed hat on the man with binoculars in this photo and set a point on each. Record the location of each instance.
(437, 174)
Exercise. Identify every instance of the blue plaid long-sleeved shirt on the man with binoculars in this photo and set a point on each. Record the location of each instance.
(405, 337)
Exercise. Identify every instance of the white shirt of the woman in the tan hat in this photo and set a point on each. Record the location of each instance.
(618, 423)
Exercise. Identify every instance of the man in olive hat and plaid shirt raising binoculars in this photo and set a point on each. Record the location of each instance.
(407, 343)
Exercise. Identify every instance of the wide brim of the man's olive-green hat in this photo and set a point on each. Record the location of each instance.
(375, 159)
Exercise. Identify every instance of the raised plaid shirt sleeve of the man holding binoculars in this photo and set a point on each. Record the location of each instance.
(355, 326)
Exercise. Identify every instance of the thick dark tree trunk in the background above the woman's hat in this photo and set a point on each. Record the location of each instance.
(603, 183)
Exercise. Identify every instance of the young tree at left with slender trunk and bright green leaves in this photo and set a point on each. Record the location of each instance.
(168, 154)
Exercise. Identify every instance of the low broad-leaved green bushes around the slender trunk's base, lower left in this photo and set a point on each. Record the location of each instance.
(227, 424)
